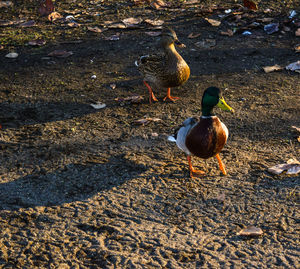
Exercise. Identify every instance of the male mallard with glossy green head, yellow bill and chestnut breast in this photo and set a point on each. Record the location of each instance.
(207, 137)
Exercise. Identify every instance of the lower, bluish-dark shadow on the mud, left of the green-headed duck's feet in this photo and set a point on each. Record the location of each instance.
(72, 183)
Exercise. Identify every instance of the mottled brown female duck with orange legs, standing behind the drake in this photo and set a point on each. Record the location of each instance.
(164, 70)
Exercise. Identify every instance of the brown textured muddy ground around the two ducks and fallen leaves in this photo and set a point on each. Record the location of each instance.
(87, 188)
